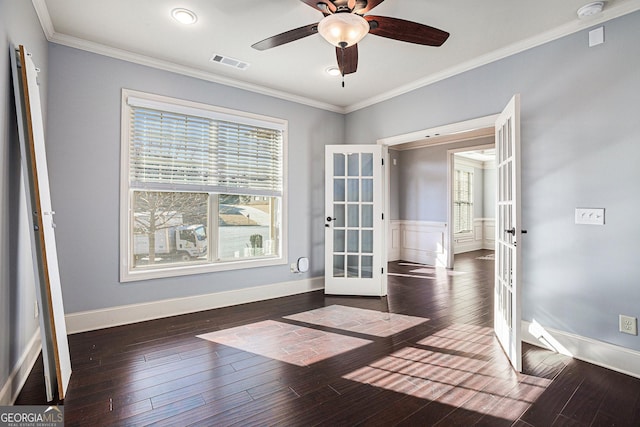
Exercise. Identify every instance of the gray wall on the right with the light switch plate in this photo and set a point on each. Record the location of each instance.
(580, 148)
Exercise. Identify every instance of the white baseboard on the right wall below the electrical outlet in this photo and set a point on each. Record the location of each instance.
(599, 353)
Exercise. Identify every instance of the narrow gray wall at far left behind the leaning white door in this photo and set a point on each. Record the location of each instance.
(18, 25)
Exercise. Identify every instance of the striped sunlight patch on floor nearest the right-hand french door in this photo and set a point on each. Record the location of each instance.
(460, 366)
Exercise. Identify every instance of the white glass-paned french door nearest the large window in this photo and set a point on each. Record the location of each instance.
(354, 228)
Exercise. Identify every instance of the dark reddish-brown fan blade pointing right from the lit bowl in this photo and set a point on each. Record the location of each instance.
(406, 31)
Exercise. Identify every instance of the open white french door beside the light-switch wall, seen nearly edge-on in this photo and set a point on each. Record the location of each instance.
(508, 283)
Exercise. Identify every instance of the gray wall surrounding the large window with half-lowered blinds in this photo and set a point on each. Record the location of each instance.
(84, 164)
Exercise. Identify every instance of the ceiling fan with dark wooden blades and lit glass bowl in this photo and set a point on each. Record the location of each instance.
(345, 24)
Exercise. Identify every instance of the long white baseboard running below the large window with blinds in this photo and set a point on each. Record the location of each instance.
(125, 314)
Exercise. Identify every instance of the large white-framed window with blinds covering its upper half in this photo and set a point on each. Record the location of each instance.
(203, 188)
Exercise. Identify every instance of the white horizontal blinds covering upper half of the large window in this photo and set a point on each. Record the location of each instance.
(170, 149)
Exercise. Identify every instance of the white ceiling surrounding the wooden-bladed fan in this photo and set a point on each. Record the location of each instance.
(143, 31)
